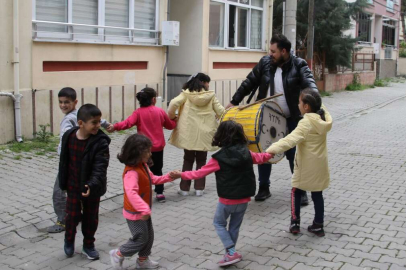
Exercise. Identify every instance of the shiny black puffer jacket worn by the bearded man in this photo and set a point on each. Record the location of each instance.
(296, 76)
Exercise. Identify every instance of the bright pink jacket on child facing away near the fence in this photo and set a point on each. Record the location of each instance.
(149, 121)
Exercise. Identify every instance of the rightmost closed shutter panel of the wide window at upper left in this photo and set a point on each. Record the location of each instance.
(144, 17)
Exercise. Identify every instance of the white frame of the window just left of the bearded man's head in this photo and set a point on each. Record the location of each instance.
(249, 7)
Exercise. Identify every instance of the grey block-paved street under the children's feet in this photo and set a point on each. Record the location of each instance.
(365, 213)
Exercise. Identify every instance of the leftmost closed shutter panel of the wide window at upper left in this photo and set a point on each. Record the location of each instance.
(52, 11)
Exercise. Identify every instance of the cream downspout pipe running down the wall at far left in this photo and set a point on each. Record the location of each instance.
(16, 64)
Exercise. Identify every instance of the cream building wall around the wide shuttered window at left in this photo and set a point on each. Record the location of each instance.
(113, 90)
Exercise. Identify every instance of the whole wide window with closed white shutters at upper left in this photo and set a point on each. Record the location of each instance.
(101, 21)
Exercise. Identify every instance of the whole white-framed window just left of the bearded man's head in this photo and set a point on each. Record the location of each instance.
(236, 24)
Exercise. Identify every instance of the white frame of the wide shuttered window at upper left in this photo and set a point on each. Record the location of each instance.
(70, 36)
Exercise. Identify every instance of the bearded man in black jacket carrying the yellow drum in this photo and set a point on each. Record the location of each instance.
(278, 72)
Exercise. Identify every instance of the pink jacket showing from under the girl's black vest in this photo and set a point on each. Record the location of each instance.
(213, 166)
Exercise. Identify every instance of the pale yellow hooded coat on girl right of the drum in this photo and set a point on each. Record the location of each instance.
(311, 172)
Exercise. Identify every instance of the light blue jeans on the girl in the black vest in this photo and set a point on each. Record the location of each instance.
(236, 213)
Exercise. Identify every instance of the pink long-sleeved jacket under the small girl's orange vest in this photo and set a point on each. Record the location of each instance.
(131, 189)
